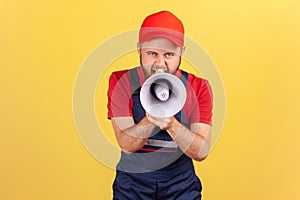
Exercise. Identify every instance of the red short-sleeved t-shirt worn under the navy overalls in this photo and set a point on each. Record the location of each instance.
(197, 108)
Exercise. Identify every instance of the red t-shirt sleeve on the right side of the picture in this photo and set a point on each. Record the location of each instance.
(202, 111)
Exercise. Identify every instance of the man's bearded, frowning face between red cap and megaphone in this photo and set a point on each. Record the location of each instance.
(159, 53)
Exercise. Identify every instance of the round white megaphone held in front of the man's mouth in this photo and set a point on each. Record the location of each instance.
(163, 95)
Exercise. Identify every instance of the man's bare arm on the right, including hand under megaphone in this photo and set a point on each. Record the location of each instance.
(194, 142)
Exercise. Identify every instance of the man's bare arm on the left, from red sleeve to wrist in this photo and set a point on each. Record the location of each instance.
(130, 136)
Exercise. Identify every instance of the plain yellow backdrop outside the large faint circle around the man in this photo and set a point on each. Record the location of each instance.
(255, 45)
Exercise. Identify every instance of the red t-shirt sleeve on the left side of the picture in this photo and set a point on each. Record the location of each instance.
(118, 95)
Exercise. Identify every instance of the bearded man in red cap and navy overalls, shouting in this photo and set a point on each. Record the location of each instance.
(157, 153)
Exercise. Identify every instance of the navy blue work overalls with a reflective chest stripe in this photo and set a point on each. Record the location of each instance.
(159, 170)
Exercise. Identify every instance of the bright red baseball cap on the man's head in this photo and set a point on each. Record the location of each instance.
(162, 24)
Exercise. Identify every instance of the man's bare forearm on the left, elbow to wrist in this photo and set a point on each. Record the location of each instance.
(133, 138)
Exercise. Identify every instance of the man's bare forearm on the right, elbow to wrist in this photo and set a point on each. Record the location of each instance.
(195, 145)
